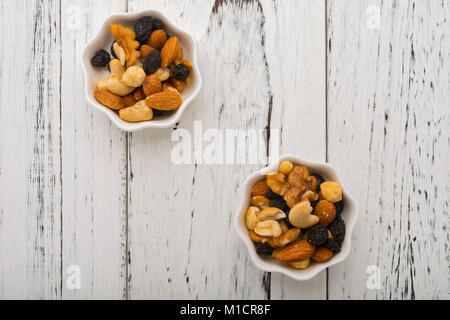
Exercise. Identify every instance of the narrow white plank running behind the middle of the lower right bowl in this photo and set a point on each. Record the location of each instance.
(295, 48)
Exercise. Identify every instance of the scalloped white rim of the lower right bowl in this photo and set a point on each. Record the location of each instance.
(269, 266)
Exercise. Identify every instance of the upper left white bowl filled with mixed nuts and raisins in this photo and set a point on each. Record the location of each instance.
(141, 70)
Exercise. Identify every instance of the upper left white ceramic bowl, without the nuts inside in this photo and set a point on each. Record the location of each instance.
(104, 39)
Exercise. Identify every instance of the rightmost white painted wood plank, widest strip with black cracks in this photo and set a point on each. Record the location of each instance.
(389, 139)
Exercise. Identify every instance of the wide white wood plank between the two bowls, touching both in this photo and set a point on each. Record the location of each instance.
(181, 240)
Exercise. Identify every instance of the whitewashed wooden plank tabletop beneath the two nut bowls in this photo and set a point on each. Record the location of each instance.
(364, 85)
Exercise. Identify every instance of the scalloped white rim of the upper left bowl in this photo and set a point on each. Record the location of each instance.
(133, 127)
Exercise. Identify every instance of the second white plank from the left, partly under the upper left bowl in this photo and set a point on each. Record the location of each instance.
(94, 168)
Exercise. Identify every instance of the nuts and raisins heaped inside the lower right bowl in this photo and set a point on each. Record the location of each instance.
(294, 216)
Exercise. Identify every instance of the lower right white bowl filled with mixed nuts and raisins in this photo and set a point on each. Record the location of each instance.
(296, 218)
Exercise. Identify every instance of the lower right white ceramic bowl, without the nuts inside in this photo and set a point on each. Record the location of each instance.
(268, 264)
